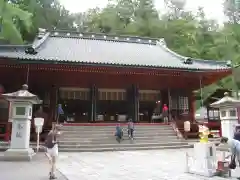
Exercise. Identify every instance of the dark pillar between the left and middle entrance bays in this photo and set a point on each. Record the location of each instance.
(93, 98)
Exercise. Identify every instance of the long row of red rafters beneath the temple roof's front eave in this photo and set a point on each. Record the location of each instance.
(116, 70)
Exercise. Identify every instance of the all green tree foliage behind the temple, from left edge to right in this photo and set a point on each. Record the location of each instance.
(186, 33)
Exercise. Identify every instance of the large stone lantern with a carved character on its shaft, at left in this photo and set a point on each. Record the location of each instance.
(21, 115)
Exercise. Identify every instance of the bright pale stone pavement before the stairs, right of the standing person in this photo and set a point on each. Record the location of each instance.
(137, 165)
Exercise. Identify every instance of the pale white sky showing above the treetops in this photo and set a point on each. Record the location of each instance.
(212, 8)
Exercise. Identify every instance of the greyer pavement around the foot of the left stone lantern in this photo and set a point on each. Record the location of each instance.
(35, 170)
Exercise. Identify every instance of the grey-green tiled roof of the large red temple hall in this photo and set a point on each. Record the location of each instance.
(100, 49)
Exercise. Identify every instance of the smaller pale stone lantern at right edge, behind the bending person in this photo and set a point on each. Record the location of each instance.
(228, 114)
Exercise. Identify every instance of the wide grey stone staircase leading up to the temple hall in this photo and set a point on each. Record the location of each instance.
(101, 138)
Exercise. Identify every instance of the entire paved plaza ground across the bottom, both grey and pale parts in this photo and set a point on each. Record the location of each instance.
(125, 165)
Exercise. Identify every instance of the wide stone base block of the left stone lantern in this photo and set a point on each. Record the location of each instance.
(18, 154)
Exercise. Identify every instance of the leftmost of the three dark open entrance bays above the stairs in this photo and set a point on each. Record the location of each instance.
(76, 104)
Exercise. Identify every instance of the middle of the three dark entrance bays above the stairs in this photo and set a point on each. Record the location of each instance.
(112, 105)
